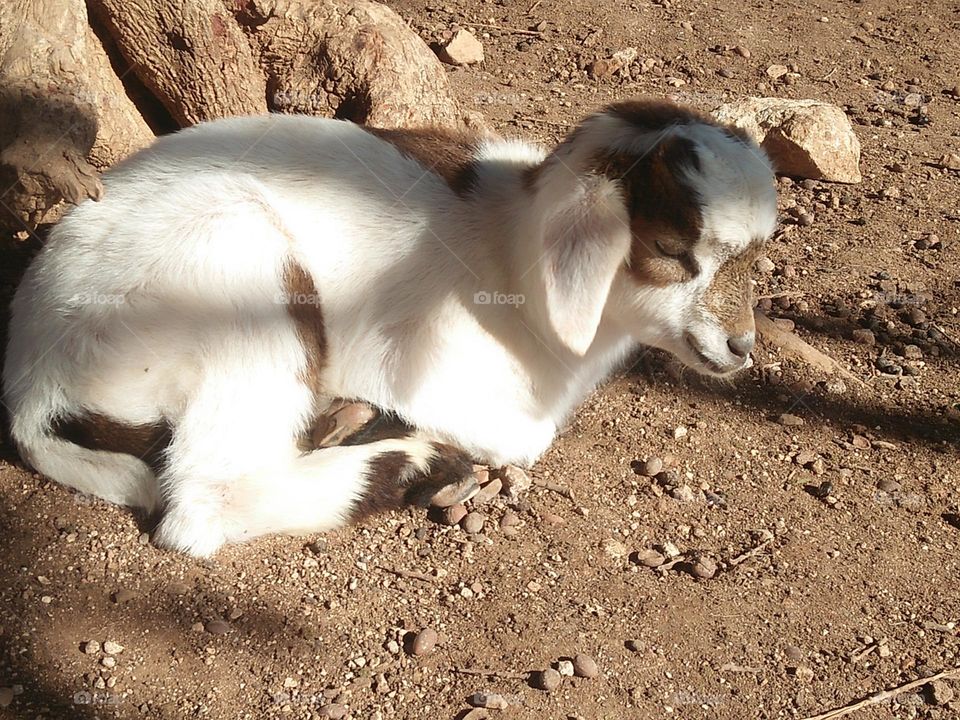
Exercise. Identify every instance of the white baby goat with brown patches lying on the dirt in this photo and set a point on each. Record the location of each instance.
(173, 344)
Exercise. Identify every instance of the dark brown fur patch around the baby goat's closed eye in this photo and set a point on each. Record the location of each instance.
(665, 214)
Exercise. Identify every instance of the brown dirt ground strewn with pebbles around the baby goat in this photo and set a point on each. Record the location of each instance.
(854, 586)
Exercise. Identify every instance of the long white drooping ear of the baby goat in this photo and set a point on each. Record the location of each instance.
(586, 241)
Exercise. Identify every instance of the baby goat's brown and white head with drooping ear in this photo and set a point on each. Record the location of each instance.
(658, 215)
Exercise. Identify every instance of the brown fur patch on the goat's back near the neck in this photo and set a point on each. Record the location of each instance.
(446, 153)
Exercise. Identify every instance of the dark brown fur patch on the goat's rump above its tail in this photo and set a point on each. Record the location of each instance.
(99, 432)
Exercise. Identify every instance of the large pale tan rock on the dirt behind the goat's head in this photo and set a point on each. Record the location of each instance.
(804, 138)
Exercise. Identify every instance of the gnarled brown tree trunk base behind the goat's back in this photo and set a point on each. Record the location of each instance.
(79, 93)
